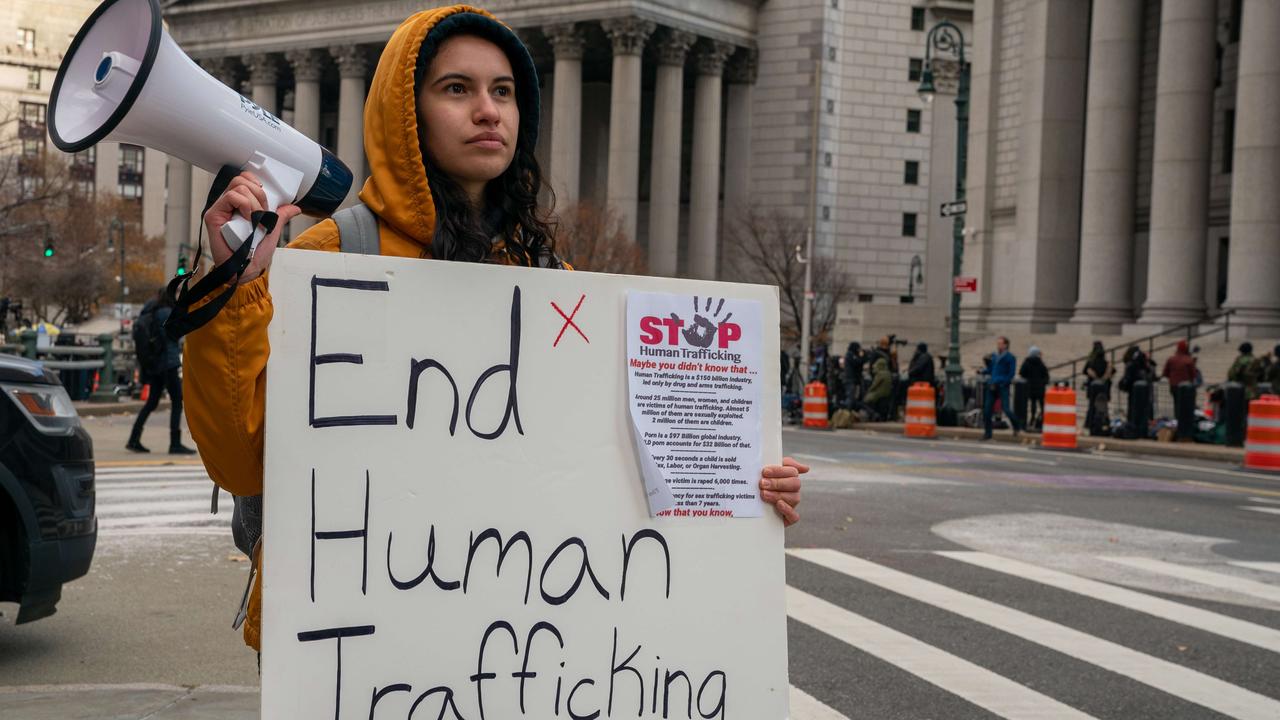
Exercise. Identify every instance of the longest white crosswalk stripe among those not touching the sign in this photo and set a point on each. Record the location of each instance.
(1241, 631)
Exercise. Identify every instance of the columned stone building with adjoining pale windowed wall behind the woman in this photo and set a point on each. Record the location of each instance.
(678, 116)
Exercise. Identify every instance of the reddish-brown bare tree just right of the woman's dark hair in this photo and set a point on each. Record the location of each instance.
(592, 239)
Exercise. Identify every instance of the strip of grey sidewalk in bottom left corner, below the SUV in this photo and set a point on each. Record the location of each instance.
(130, 703)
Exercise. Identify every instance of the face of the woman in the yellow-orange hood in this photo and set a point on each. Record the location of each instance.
(468, 112)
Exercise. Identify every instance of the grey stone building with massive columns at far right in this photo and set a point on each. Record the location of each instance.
(1124, 166)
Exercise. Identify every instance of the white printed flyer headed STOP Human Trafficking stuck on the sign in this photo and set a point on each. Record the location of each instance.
(694, 373)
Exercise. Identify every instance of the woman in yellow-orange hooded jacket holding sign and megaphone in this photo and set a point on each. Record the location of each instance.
(452, 176)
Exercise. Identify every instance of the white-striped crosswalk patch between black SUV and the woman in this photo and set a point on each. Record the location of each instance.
(159, 500)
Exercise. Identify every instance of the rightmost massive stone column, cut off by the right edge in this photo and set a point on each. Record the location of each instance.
(1254, 266)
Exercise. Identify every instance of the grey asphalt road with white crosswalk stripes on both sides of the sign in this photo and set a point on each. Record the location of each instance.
(926, 581)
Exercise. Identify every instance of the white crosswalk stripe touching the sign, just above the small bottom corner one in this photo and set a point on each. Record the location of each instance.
(954, 675)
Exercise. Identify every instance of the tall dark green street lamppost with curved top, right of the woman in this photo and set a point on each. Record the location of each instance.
(947, 40)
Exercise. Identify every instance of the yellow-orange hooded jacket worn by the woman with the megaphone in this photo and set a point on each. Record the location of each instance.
(226, 361)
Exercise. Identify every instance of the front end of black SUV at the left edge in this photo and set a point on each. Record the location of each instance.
(48, 530)
